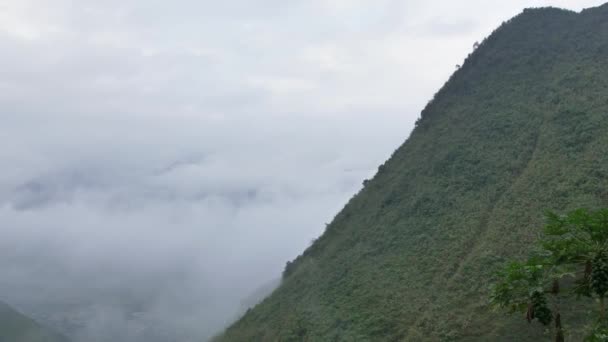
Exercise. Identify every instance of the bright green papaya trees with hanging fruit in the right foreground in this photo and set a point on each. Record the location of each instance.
(573, 245)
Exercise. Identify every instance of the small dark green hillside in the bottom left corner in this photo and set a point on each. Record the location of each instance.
(15, 327)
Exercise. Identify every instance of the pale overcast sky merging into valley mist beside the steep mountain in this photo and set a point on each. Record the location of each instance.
(185, 150)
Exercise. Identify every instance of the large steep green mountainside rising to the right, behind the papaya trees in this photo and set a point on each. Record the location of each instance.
(522, 127)
